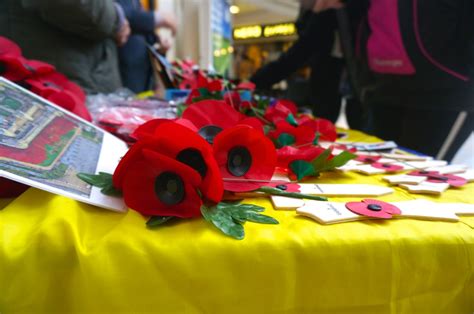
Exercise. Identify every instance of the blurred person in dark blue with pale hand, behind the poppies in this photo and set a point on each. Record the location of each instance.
(135, 65)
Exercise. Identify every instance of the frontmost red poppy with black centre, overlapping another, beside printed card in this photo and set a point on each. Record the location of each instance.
(154, 184)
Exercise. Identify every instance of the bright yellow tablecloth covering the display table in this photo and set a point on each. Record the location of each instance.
(58, 255)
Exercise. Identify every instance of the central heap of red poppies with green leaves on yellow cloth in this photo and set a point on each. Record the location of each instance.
(185, 167)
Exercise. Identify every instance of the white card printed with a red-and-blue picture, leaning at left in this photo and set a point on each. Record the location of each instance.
(45, 146)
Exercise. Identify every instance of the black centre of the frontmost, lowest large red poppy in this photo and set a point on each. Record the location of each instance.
(169, 187)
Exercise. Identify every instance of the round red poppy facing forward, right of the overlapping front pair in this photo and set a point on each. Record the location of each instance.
(246, 158)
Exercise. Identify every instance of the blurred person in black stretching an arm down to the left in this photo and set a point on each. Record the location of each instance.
(317, 46)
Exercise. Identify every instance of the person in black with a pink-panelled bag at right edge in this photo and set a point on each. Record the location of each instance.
(420, 55)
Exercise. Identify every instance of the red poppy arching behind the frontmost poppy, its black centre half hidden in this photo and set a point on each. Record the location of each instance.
(178, 142)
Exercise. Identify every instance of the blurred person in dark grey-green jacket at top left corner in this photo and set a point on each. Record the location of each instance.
(77, 37)
